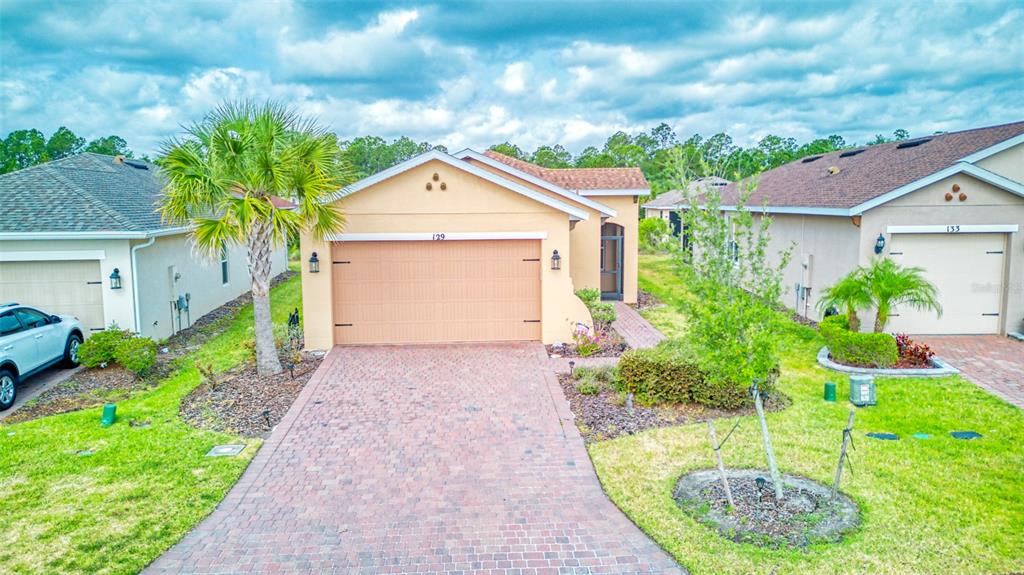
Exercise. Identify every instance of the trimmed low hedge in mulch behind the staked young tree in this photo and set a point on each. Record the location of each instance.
(670, 374)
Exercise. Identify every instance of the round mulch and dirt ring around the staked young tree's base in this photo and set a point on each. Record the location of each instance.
(805, 516)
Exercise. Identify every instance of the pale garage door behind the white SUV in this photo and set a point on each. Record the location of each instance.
(72, 288)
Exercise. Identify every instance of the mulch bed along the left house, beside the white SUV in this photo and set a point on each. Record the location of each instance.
(92, 388)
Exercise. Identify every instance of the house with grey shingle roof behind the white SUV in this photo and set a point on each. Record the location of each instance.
(80, 236)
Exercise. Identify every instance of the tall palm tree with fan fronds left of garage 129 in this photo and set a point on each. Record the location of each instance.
(223, 176)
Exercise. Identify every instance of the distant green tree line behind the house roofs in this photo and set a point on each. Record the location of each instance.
(658, 153)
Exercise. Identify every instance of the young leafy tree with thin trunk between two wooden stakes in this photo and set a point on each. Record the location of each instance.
(737, 292)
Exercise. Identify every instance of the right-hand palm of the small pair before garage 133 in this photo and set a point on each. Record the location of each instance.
(893, 285)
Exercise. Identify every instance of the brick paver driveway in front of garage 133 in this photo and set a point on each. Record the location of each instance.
(995, 364)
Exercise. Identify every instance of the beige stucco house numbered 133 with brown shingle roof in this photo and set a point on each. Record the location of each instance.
(952, 204)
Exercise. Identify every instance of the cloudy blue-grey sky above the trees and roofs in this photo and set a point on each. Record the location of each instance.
(532, 73)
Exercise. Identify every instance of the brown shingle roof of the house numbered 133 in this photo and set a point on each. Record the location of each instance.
(870, 173)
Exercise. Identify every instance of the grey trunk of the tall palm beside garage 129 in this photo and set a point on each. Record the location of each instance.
(259, 242)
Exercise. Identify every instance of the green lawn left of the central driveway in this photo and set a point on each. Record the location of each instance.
(117, 510)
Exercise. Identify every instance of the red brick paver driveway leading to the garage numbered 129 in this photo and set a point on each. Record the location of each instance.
(426, 460)
